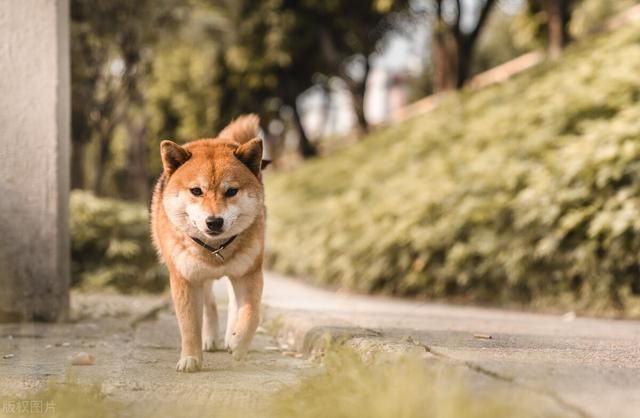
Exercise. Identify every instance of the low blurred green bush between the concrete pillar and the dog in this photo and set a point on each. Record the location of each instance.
(111, 246)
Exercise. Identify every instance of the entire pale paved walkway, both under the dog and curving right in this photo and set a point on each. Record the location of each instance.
(559, 365)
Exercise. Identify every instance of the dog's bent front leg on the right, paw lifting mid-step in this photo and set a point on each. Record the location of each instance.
(248, 291)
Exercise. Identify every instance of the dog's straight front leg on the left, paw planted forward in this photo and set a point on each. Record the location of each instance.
(187, 300)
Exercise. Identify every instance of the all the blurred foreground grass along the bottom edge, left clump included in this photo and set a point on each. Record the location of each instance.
(349, 386)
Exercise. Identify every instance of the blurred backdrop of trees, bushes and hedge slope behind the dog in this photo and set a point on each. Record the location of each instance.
(480, 151)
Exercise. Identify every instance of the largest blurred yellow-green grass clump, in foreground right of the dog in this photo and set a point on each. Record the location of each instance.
(406, 387)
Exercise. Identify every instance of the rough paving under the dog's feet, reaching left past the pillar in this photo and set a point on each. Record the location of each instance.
(135, 342)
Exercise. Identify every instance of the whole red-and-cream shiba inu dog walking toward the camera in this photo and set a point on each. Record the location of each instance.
(207, 221)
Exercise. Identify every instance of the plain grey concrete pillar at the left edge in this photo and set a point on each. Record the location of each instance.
(34, 160)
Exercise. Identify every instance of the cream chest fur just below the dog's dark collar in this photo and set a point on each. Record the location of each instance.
(195, 269)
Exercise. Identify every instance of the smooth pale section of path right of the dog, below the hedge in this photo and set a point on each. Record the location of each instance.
(589, 367)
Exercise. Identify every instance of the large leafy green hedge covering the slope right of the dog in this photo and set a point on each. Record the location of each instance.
(524, 193)
